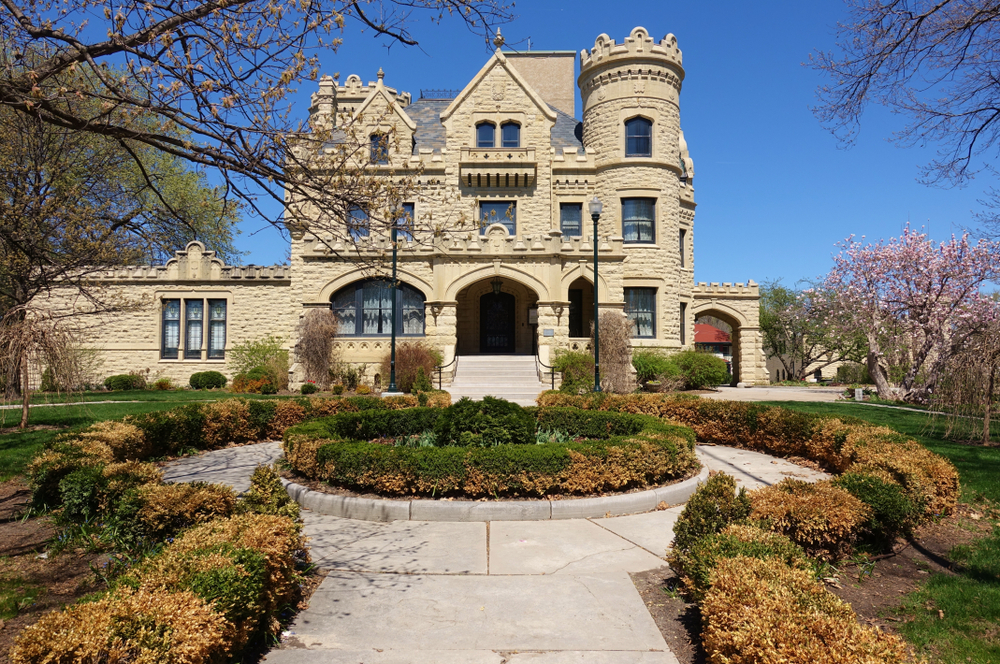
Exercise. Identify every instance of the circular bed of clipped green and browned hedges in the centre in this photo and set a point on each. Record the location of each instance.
(491, 449)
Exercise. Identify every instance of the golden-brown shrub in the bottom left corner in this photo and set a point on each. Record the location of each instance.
(133, 626)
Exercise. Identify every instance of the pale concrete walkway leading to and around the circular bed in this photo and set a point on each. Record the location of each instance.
(524, 592)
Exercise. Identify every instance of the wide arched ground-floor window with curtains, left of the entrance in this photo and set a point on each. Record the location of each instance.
(365, 309)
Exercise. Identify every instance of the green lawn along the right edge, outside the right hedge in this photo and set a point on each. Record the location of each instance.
(952, 618)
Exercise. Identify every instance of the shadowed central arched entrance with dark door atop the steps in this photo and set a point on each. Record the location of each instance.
(496, 315)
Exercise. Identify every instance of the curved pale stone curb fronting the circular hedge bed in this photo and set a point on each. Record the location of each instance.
(376, 509)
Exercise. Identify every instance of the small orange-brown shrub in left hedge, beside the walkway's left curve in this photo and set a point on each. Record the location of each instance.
(169, 507)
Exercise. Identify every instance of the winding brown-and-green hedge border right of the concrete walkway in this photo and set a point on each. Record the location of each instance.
(742, 556)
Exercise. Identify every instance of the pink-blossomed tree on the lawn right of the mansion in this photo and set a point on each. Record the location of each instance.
(917, 303)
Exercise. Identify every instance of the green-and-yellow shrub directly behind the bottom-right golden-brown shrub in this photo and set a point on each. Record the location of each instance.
(695, 565)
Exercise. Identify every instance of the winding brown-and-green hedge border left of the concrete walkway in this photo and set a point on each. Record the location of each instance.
(215, 569)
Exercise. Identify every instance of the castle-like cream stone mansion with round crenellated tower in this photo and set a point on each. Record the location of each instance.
(508, 150)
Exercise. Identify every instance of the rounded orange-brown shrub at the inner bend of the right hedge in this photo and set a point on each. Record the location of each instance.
(821, 518)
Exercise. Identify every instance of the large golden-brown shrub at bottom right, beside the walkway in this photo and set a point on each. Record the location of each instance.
(764, 612)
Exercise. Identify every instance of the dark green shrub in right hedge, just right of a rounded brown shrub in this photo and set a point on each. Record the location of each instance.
(893, 514)
